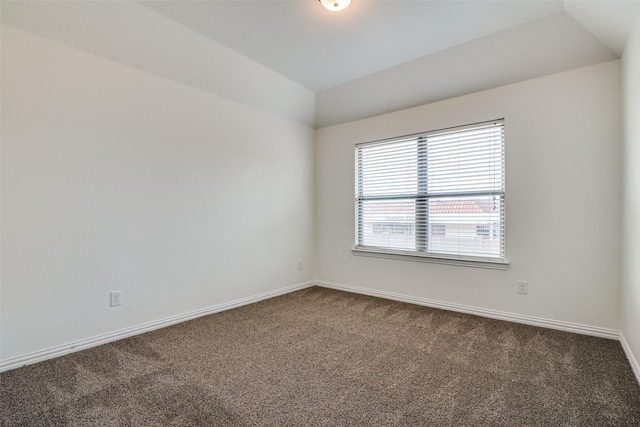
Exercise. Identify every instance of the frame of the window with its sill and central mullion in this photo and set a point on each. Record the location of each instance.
(421, 221)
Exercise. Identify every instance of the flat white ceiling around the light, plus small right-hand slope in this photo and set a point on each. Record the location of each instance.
(321, 49)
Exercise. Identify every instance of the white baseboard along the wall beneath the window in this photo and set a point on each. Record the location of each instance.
(494, 314)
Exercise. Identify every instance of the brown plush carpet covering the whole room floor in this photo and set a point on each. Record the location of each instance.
(324, 357)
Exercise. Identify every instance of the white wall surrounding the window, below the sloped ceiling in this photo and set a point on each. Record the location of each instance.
(563, 200)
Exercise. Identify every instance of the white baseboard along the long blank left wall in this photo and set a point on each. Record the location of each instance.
(83, 344)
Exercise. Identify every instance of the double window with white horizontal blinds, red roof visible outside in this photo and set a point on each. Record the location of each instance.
(437, 194)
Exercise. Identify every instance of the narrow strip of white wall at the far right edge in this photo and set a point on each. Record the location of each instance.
(630, 297)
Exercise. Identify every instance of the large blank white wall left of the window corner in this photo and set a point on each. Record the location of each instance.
(114, 178)
